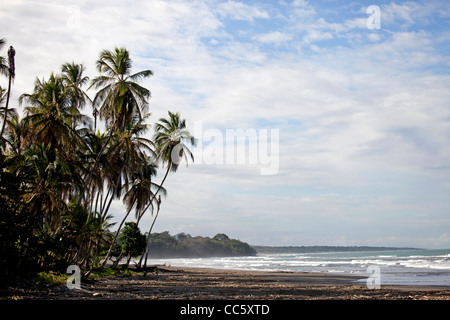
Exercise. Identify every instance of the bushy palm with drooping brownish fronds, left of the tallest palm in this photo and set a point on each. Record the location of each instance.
(49, 133)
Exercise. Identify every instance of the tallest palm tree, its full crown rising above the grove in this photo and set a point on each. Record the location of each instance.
(120, 97)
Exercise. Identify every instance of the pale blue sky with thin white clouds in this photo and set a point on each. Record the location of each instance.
(319, 122)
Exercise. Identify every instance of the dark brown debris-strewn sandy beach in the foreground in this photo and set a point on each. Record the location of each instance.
(186, 283)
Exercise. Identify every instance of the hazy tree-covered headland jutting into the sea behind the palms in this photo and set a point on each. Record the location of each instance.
(163, 245)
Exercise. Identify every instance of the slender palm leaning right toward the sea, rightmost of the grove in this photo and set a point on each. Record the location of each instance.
(170, 137)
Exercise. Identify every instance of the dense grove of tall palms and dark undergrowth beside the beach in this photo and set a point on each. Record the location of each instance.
(59, 173)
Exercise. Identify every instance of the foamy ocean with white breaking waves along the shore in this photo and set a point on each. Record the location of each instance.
(394, 267)
